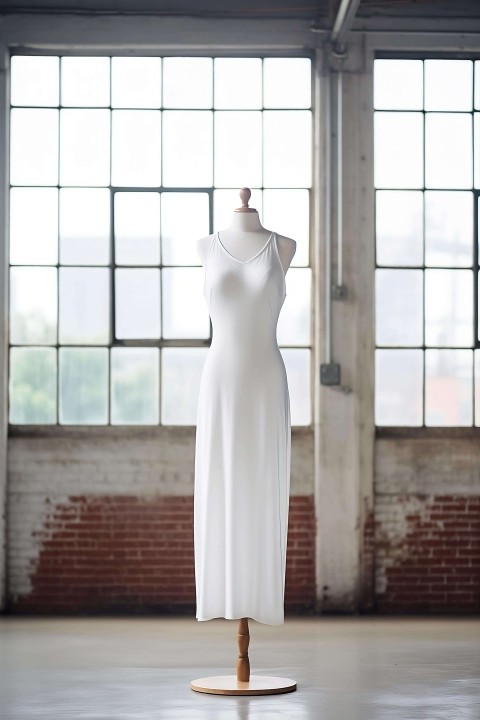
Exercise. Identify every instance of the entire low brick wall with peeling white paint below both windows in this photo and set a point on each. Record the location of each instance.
(103, 522)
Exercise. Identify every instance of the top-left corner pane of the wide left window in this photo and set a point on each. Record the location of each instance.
(34, 80)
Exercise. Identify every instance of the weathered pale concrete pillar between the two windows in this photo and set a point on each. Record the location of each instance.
(344, 422)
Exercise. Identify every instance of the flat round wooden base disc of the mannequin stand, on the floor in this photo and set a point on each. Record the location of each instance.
(257, 685)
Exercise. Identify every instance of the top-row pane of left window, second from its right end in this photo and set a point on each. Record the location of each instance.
(231, 90)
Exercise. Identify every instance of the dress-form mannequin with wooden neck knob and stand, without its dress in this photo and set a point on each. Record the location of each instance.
(243, 240)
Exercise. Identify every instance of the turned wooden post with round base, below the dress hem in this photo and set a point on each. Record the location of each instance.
(243, 683)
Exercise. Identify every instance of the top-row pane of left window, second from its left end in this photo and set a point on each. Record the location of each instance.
(86, 81)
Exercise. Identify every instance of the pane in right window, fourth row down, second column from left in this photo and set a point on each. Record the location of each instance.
(449, 307)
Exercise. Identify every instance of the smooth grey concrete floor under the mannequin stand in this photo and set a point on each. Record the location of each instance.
(348, 668)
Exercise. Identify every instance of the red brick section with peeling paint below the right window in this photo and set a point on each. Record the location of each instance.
(427, 553)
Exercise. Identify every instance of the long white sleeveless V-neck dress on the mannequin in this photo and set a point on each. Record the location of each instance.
(243, 441)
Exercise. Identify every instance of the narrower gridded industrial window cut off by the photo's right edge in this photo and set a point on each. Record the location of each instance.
(427, 186)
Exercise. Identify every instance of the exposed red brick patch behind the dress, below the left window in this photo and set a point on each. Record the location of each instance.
(134, 554)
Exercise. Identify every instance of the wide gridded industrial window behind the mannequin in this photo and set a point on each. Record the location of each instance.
(117, 166)
